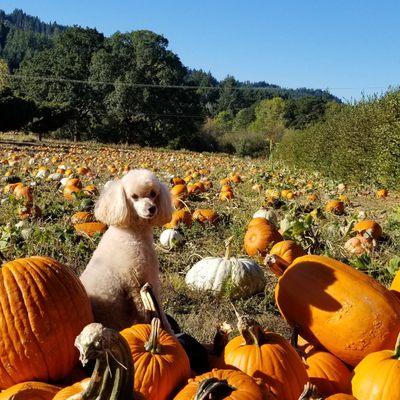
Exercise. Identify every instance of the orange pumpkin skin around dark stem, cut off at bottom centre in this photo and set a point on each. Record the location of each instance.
(247, 388)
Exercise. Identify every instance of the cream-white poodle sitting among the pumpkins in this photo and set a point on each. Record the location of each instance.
(125, 258)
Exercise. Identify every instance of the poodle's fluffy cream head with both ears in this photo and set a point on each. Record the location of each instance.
(137, 197)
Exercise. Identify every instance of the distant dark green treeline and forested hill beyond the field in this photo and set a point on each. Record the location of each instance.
(75, 83)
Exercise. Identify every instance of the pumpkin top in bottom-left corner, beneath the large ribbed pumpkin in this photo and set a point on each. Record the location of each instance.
(30, 391)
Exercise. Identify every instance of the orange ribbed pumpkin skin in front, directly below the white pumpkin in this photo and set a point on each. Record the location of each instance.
(275, 362)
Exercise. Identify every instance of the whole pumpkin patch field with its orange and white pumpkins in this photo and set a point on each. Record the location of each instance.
(291, 281)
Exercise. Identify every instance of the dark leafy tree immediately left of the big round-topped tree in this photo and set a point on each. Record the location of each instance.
(67, 61)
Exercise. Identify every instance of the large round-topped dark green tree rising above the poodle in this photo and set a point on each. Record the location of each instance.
(150, 115)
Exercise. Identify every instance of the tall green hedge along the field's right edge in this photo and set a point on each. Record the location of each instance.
(358, 142)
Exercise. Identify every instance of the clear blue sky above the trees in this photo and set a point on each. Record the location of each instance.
(351, 47)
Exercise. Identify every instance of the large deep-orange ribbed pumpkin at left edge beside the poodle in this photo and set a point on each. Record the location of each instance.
(43, 308)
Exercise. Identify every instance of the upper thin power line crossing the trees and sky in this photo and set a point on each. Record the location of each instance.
(183, 87)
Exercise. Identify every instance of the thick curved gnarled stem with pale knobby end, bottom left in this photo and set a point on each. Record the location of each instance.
(112, 378)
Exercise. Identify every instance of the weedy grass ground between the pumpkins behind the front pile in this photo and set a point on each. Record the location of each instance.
(197, 313)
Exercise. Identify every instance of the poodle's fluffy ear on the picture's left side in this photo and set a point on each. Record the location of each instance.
(112, 207)
